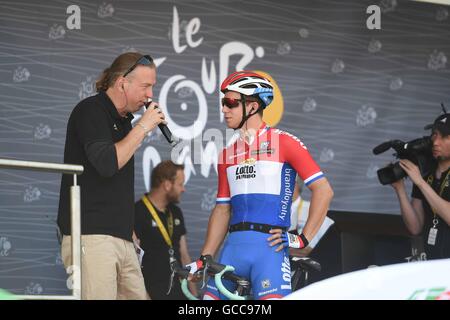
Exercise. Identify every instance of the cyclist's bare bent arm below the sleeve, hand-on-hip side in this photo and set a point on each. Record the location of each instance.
(321, 195)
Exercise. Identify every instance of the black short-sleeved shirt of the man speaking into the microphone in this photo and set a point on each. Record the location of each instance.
(107, 193)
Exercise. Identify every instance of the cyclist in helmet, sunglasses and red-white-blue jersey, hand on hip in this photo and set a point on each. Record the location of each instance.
(256, 180)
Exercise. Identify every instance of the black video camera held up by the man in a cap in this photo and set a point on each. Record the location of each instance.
(418, 151)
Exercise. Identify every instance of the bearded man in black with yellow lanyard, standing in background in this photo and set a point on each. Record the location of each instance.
(161, 232)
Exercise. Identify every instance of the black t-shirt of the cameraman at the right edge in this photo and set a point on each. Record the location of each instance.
(441, 249)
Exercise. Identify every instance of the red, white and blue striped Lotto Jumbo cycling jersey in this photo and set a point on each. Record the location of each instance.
(258, 179)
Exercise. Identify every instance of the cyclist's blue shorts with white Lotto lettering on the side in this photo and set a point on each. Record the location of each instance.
(250, 254)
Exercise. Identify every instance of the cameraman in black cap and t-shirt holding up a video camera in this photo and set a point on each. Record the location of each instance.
(428, 213)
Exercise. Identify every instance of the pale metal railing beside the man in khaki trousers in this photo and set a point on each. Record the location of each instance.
(75, 213)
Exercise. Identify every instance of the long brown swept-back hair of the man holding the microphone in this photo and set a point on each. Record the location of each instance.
(119, 66)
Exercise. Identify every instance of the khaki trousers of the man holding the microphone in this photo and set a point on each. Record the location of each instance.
(109, 266)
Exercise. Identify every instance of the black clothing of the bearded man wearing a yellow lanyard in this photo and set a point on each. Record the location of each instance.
(155, 263)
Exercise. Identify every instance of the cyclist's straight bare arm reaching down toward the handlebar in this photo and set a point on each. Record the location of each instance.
(217, 228)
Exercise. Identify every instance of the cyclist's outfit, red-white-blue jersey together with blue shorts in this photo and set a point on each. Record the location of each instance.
(257, 179)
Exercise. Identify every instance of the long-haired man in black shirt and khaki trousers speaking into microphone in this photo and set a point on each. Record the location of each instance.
(100, 137)
